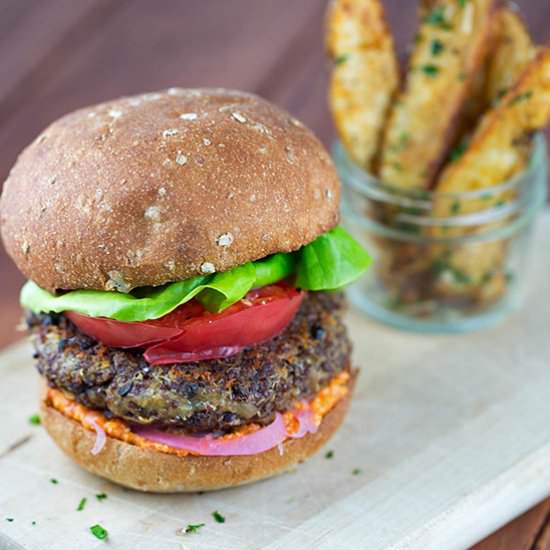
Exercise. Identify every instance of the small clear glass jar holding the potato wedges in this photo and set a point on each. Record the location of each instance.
(443, 262)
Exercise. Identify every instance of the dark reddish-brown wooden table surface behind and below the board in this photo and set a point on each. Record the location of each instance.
(59, 55)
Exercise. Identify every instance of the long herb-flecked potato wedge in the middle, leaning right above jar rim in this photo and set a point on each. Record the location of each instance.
(449, 49)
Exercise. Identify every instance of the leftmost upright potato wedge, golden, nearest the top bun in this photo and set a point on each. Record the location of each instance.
(364, 76)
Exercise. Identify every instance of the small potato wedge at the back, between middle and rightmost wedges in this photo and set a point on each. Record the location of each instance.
(513, 49)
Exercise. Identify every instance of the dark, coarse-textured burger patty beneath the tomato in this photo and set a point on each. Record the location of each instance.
(204, 396)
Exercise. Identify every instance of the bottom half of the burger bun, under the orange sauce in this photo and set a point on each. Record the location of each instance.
(149, 470)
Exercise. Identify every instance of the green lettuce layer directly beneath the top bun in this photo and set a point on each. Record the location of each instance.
(330, 262)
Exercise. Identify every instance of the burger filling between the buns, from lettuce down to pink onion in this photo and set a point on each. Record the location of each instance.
(236, 356)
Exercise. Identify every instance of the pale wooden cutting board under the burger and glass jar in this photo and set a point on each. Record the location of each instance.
(450, 434)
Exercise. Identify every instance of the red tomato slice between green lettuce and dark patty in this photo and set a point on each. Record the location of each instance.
(191, 333)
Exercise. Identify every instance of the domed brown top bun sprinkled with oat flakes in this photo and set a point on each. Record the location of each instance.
(165, 186)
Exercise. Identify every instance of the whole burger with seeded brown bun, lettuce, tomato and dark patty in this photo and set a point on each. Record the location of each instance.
(184, 264)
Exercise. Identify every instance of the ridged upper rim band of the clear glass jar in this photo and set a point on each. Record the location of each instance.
(500, 219)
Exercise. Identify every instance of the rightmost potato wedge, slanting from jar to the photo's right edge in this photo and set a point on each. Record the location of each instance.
(499, 149)
